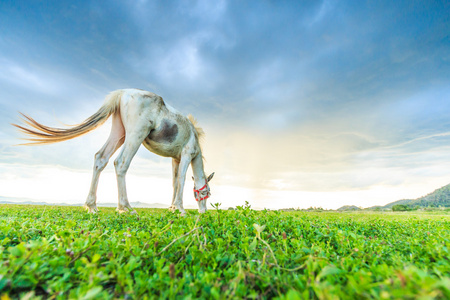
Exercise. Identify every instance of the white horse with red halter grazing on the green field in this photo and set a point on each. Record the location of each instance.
(138, 117)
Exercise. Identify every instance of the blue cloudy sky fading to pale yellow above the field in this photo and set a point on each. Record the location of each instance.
(304, 103)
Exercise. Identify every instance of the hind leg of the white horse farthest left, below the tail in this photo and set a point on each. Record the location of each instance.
(115, 140)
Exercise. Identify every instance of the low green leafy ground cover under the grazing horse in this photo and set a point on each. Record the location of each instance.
(53, 252)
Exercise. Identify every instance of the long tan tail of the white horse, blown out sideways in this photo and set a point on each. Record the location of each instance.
(40, 134)
